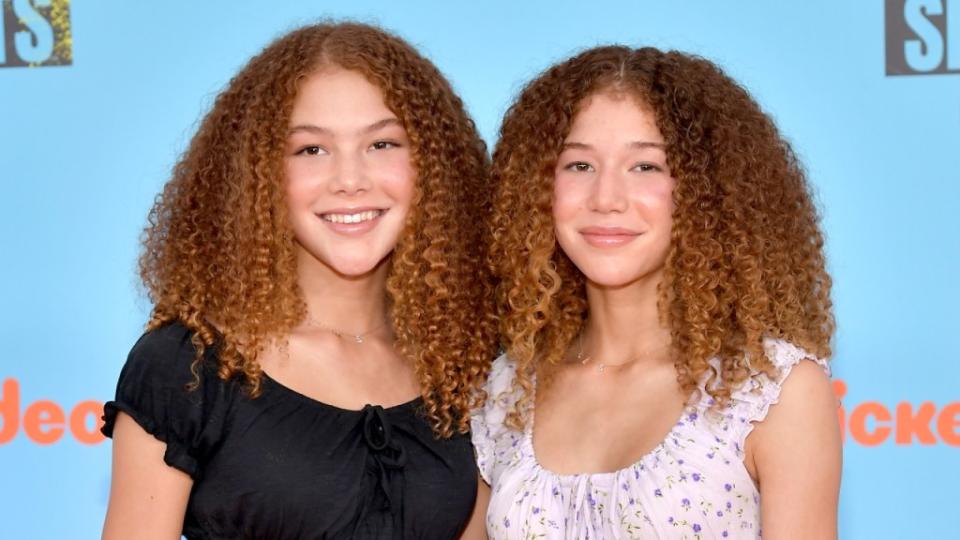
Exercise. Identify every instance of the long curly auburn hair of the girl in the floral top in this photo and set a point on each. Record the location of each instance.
(746, 257)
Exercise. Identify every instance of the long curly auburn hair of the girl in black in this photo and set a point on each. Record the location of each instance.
(218, 252)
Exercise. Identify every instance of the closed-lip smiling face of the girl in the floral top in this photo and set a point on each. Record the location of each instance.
(613, 203)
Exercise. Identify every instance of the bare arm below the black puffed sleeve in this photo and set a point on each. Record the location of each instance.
(148, 498)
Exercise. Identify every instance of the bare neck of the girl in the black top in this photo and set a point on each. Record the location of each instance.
(352, 304)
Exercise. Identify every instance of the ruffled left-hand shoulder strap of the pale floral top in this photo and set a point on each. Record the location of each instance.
(488, 428)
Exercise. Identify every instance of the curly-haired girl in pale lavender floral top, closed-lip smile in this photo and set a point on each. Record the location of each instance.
(665, 312)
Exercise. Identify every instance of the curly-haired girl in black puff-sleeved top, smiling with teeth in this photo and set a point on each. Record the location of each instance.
(321, 317)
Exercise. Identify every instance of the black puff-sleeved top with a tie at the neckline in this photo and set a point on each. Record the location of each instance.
(283, 465)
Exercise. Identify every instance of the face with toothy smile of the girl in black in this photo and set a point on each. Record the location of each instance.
(350, 177)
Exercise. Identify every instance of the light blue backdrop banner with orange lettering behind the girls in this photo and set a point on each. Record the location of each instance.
(97, 99)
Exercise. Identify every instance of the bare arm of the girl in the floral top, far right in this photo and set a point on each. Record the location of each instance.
(795, 456)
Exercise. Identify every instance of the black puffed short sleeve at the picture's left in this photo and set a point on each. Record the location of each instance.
(153, 390)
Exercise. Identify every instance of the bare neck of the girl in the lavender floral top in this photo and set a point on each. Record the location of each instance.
(624, 323)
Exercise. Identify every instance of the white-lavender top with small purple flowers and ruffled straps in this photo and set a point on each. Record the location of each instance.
(693, 485)
